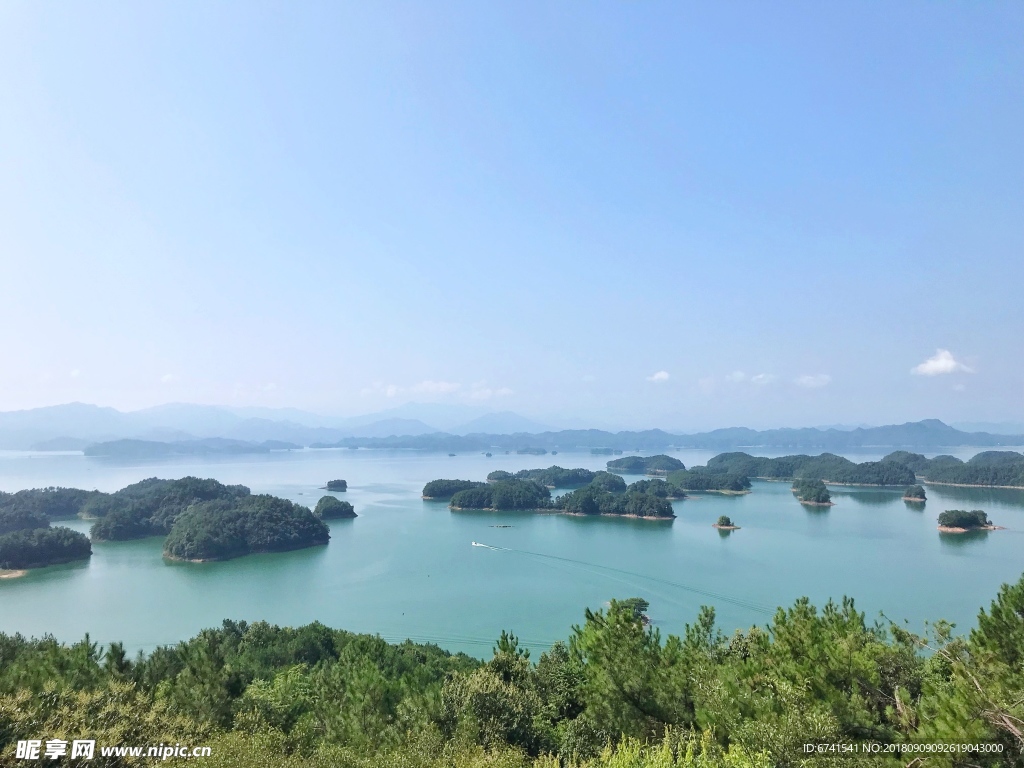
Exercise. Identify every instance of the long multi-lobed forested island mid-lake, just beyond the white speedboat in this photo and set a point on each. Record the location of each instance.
(605, 494)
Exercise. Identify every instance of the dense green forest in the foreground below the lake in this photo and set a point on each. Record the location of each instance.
(615, 695)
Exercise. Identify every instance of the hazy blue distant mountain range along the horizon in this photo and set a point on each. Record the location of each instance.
(182, 429)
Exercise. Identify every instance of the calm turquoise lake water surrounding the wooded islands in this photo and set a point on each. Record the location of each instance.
(406, 568)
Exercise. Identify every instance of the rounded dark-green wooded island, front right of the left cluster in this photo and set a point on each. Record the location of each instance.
(226, 529)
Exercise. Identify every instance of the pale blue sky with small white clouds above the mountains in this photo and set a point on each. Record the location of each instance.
(680, 216)
